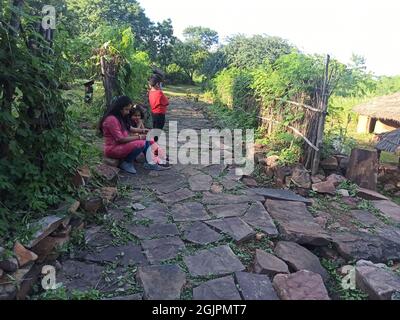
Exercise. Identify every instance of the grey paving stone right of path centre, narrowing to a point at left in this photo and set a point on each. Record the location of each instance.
(234, 227)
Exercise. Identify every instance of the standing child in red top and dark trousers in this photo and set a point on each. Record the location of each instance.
(158, 102)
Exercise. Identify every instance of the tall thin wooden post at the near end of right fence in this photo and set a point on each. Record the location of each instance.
(322, 117)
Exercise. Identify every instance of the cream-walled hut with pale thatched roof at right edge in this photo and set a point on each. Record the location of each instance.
(379, 115)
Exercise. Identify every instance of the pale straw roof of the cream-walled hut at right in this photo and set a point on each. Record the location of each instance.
(385, 107)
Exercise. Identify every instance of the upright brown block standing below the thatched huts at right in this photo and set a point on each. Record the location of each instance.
(363, 168)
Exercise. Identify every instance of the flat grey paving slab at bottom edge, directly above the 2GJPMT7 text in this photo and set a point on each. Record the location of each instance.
(218, 289)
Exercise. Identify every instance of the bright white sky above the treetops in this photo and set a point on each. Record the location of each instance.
(340, 27)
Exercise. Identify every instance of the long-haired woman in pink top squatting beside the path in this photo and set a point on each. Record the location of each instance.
(118, 144)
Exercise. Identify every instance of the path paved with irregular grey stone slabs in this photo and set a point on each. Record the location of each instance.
(196, 237)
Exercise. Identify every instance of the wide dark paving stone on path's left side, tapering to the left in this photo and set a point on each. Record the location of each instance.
(125, 255)
